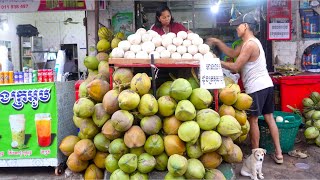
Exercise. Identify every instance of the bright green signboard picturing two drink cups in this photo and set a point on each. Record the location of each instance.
(28, 121)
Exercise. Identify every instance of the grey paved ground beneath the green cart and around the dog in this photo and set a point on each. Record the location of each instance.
(288, 170)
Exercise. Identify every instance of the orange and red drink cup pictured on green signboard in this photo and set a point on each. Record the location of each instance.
(43, 126)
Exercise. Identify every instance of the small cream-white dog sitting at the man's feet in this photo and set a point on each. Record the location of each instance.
(252, 166)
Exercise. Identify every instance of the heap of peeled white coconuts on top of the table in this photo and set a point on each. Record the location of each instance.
(143, 43)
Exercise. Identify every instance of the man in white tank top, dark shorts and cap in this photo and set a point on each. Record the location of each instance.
(251, 63)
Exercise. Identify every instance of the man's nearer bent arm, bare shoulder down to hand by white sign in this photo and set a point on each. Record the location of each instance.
(244, 57)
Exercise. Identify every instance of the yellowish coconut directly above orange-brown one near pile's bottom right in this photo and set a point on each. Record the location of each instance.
(210, 141)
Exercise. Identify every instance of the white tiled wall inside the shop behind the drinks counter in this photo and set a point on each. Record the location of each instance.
(53, 30)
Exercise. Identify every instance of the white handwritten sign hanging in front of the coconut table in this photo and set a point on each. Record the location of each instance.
(211, 75)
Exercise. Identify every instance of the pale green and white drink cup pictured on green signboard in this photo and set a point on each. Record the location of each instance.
(17, 126)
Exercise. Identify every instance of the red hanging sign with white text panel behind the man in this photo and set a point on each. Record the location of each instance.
(279, 19)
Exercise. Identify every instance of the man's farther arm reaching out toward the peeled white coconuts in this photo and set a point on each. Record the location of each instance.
(224, 48)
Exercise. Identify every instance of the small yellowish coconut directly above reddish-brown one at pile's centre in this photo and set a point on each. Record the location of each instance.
(167, 105)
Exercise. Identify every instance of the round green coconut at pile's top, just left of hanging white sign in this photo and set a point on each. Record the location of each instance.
(180, 89)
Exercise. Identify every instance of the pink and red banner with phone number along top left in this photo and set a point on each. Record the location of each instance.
(14, 6)
